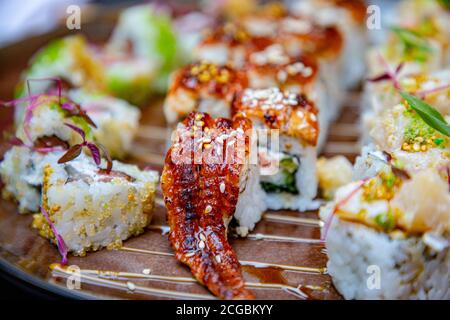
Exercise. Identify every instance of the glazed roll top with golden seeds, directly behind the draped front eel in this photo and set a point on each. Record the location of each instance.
(203, 87)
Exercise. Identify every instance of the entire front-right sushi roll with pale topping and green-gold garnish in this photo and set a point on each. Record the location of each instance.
(387, 238)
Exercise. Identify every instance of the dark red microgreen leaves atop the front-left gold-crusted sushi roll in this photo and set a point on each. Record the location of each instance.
(76, 149)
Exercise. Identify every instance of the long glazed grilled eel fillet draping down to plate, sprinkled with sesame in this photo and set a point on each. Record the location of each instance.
(201, 198)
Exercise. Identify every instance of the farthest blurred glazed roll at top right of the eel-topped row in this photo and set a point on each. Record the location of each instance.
(349, 16)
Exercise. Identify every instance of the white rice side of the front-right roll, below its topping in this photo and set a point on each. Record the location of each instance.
(407, 268)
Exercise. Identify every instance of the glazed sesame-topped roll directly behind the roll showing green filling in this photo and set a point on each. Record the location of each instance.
(272, 67)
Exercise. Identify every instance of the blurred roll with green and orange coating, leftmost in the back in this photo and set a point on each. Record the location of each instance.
(69, 59)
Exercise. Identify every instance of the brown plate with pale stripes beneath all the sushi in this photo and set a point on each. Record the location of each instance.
(285, 246)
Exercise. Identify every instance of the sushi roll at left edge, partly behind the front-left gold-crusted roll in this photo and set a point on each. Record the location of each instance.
(39, 136)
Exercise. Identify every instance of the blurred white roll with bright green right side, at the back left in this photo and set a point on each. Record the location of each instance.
(146, 34)
